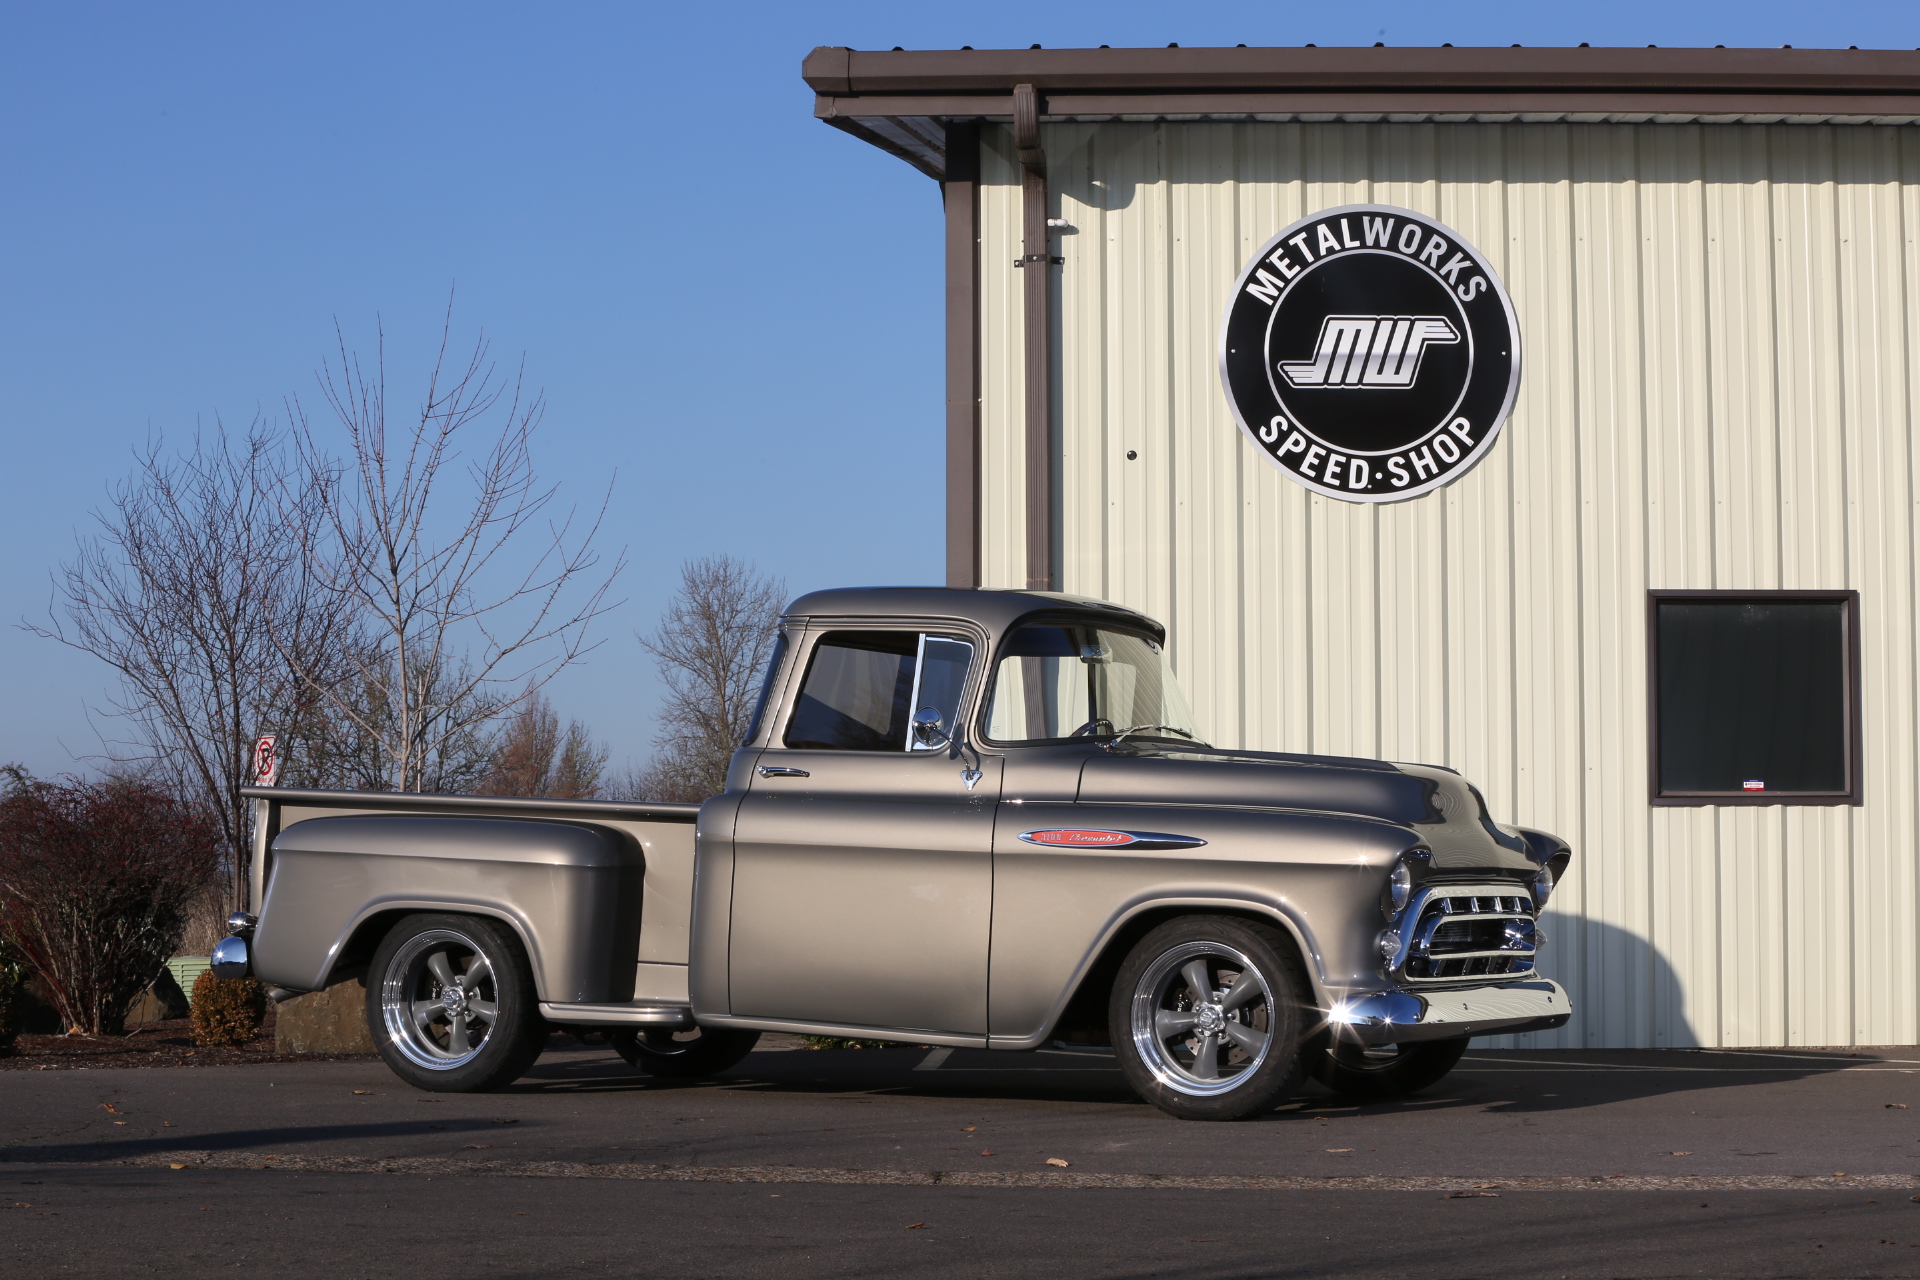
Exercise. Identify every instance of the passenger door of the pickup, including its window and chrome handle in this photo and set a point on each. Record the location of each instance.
(863, 853)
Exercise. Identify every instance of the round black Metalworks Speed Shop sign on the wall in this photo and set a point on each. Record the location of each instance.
(1372, 354)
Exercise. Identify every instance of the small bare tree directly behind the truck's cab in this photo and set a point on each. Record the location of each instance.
(711, 648)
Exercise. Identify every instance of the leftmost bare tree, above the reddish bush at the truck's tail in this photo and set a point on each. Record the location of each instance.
(176, 592)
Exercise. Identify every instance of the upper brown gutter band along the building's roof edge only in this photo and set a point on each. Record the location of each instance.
(844, 72)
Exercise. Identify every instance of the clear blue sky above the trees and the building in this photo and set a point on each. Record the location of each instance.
(727, 302)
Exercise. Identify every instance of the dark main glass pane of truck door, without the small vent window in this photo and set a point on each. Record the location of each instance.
(857, 692)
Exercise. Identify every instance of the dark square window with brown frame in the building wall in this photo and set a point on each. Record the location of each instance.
(1756, 698)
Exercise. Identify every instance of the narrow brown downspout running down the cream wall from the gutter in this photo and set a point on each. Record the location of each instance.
(1038, 262)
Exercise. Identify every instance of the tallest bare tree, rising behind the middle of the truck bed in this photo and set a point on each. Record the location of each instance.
(448, 627)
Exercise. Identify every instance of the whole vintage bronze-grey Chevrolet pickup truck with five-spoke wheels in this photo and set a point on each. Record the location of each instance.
(959, 818)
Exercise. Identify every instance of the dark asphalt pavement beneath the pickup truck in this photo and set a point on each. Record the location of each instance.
(969, 1164)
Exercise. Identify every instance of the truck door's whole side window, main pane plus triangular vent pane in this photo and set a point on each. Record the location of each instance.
(863, 690)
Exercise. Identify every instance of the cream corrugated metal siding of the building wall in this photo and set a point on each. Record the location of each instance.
(1721, 341)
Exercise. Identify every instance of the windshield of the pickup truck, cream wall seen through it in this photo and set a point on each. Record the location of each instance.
(1065, 682)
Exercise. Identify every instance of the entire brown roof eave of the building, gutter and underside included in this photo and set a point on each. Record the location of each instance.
(901, 99)
